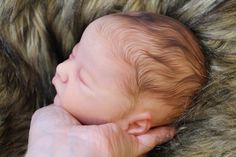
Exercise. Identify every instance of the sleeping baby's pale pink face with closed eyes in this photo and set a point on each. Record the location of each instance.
(88, 83)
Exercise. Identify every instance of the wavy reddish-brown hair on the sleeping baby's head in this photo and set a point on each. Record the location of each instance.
(169, 64)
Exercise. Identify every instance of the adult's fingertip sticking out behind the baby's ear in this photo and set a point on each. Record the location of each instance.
(154, 137)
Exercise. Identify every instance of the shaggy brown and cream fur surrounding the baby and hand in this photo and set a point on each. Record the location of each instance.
(36, 35)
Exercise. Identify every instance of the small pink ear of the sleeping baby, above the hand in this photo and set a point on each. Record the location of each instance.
(139, 123)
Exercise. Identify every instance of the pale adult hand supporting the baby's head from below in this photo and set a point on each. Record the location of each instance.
(55, 133)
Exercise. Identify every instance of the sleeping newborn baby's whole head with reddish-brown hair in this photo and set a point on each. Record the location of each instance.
(139, 70)
